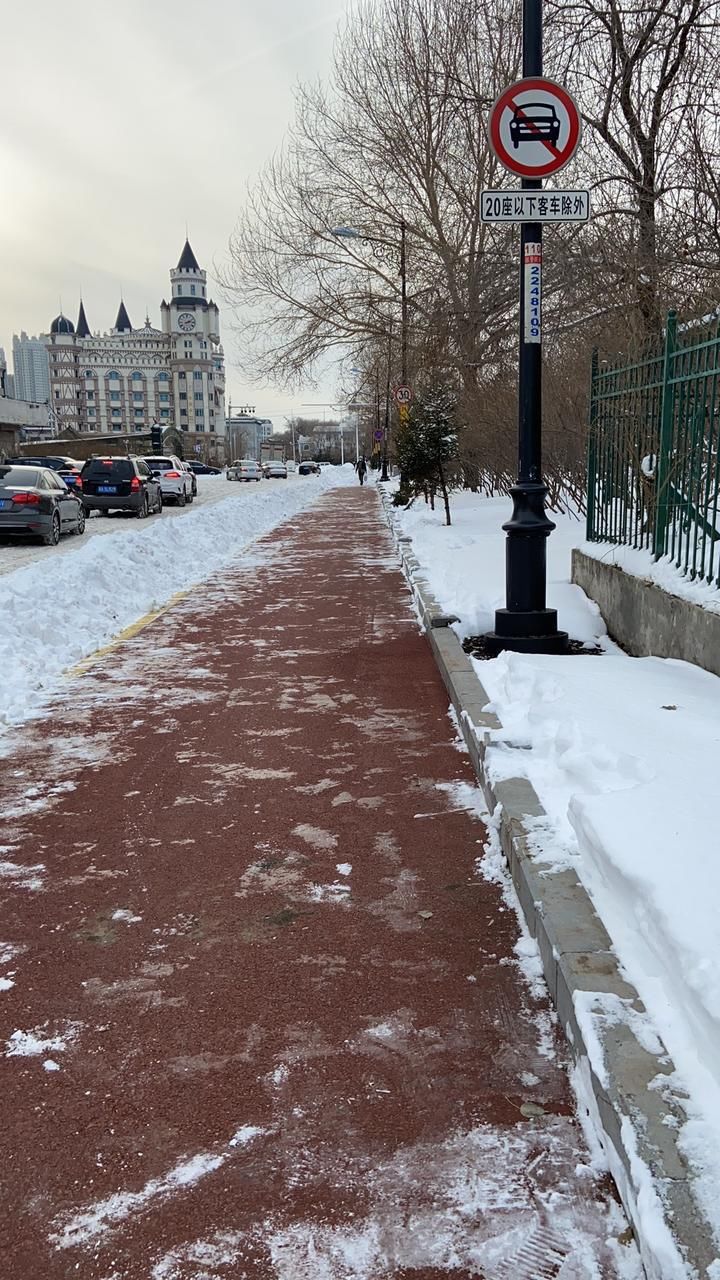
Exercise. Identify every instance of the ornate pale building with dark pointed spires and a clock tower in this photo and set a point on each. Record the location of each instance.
(129, 380)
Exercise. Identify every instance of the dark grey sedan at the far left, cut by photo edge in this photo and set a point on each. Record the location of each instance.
(35, 501)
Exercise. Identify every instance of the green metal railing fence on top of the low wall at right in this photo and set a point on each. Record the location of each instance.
(654, 470)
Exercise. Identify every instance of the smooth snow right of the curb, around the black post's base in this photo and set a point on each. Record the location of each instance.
(623, 753)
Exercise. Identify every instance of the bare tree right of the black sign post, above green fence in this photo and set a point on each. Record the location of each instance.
(648, 80)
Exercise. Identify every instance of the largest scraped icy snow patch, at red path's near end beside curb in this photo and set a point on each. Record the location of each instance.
(484, 1203)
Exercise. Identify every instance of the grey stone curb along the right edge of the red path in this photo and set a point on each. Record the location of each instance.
(625, 1072)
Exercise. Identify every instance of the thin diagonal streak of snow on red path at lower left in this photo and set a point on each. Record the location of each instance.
(71, 1231)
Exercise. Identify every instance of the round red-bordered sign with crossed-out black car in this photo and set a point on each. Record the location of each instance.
(535, 127)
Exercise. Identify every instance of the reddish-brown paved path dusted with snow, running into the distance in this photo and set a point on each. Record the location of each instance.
(267, 1009)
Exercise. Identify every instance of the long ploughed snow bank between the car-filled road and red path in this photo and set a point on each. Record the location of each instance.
(58, 610)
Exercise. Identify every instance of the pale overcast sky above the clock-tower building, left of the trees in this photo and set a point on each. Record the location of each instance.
(120, 124)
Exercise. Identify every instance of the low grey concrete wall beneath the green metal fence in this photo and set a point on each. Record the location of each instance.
(646, 620)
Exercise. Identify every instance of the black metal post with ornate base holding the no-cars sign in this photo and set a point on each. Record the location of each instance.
(526, 624)
